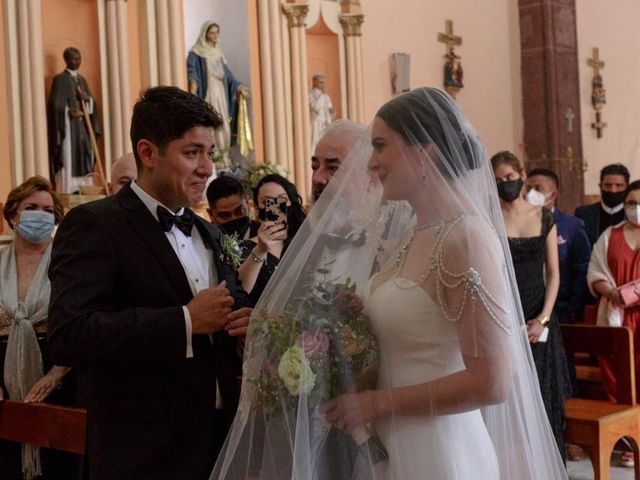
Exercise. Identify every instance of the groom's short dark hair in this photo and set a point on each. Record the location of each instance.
(163, 114)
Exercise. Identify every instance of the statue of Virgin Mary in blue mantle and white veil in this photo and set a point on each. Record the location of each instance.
(211, 79)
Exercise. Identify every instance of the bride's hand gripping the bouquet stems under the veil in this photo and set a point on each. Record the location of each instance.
(352, 410)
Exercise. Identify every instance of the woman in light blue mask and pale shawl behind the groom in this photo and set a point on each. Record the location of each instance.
(32, 209)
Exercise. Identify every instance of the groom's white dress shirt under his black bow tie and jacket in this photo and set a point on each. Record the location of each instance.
(195, 258)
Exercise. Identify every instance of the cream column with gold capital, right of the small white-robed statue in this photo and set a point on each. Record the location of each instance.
(352, 28)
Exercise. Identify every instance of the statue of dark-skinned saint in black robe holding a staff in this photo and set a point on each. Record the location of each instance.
(72, 157)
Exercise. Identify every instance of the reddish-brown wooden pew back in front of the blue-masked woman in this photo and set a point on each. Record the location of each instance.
(44, 425)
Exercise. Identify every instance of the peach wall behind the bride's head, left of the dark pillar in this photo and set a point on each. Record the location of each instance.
(490, 52)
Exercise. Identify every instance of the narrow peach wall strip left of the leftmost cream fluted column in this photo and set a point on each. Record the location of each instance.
(5, 127)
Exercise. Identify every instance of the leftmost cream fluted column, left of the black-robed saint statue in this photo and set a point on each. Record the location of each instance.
(27, 98)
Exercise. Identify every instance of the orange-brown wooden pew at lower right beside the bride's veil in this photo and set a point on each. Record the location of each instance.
(596, 425)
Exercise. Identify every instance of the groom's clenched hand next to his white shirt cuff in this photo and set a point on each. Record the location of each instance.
(210, 308)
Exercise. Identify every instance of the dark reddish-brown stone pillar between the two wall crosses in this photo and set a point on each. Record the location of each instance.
(550, 86)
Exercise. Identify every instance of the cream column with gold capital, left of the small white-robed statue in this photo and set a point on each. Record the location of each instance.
(296, 15)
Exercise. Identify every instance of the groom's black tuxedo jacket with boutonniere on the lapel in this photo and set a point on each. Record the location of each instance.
(117, 291)
